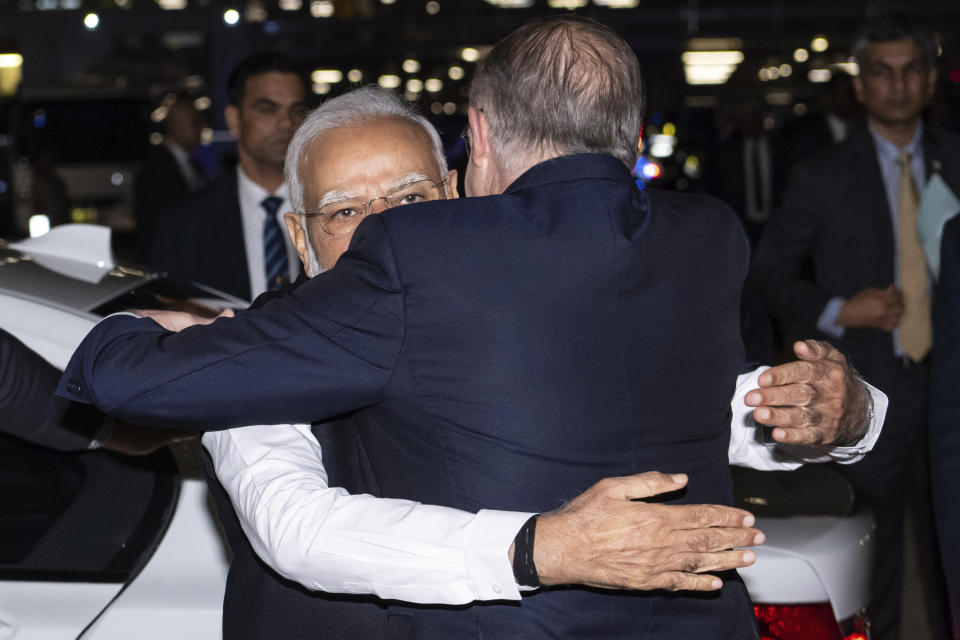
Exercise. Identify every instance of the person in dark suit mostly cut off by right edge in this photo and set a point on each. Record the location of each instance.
(945, 414)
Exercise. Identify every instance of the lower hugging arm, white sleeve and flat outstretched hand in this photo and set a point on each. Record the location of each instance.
(326, 539)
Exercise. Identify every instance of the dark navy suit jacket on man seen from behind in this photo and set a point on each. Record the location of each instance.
(501, 352)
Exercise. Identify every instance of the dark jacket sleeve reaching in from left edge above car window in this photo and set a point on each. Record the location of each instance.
(28, 408)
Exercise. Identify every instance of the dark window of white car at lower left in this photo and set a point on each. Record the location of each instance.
(83, 517)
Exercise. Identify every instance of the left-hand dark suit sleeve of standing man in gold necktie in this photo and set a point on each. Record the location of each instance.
(786, 246)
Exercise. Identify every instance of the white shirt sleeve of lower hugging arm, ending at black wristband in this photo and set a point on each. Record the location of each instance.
(326, 539)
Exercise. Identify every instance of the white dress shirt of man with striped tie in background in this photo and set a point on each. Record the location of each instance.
(251, 215)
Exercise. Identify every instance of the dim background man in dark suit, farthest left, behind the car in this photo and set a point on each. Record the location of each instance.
(169, 173)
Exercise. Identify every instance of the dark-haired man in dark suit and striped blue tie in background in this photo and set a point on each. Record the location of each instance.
(243, 209)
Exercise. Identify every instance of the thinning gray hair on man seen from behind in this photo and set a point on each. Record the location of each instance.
(560, 86)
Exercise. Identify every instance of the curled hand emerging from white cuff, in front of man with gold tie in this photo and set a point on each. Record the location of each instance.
(816, 400)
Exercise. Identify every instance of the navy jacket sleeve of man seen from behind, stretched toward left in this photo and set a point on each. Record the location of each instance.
(327, 348)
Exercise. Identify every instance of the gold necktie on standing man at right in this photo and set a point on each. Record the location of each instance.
(915, 330)
